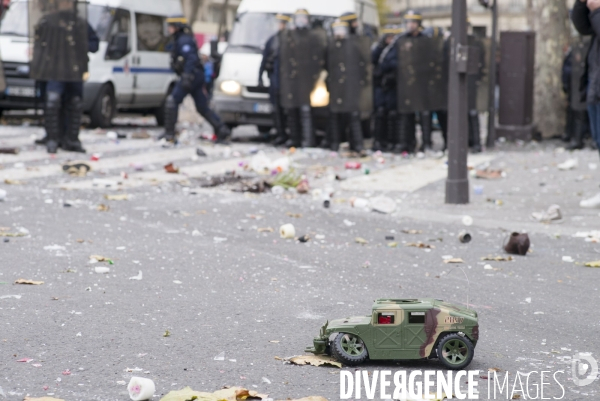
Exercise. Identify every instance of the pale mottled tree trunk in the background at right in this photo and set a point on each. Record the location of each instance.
(553, 35)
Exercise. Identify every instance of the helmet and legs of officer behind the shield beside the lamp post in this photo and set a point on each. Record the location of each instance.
(407, 121)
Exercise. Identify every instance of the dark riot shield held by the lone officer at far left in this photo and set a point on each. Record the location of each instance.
(59, 35)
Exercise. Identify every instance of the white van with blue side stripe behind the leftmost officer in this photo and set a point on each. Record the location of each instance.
(130, 72)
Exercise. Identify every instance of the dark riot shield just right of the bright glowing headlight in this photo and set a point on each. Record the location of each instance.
(350, 79)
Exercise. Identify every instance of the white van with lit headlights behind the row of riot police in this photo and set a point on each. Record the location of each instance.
(237, 97)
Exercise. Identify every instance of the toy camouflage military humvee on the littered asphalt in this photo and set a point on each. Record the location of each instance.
(403, 329)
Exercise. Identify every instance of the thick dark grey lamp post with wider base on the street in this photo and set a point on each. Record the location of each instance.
(457, 184)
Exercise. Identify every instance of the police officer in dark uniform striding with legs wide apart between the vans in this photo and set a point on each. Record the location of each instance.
(186, 63)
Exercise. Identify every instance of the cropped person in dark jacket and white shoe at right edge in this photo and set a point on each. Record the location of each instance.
(586, 18)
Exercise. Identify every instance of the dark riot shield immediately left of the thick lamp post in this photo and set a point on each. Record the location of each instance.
(422, 74)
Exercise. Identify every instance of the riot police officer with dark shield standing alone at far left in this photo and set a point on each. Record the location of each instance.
(62, 39)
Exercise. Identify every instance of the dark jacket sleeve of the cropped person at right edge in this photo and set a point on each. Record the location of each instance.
(588, 24)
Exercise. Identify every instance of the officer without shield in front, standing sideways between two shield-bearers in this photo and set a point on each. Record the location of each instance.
(385, 62)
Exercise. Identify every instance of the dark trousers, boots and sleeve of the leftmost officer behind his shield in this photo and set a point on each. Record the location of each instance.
(63, 108)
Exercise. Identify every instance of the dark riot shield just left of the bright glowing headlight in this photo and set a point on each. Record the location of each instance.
(302, 58)
